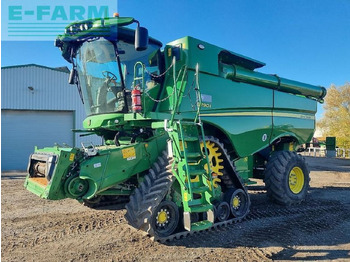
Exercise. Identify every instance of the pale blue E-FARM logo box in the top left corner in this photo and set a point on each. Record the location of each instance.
(44, 20)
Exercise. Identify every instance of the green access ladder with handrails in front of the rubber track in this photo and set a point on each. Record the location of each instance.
(192, 168)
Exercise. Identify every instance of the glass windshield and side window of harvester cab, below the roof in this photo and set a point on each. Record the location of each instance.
(106, 81)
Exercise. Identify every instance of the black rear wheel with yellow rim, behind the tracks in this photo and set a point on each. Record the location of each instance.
(287, 178)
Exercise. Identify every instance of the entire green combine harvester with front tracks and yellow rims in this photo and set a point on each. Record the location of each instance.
(184, 130)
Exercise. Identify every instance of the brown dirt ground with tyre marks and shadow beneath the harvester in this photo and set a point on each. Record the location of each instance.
(33, 229)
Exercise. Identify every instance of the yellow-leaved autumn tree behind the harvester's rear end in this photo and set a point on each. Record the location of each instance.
(336, 117)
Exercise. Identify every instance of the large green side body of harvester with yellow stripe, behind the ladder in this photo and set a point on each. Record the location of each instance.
(252, 116)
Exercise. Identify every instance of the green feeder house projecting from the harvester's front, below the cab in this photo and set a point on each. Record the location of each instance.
(111, 166)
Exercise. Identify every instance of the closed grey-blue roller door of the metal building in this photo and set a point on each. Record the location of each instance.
(22, 130)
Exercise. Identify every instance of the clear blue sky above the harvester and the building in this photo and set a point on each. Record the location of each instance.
(308, 41)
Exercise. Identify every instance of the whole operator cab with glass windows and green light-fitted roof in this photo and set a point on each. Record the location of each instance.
(109, 61)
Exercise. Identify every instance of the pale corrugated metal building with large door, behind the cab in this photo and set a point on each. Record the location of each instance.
(38, 108)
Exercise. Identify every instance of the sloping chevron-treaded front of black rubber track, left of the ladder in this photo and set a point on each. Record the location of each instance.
(149, 195)
